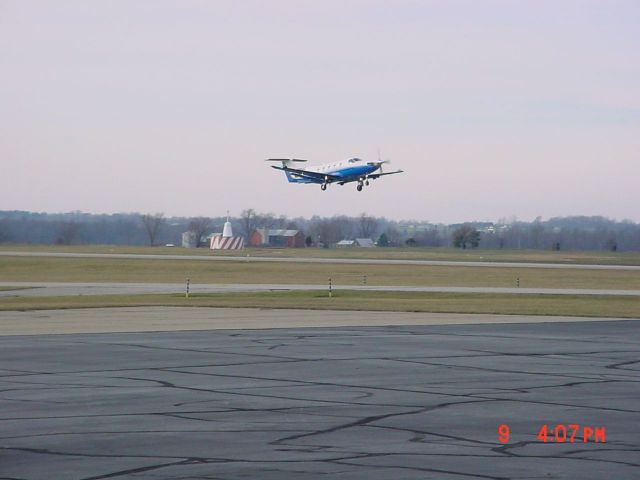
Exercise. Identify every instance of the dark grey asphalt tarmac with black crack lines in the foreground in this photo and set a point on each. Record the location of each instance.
(402, 402)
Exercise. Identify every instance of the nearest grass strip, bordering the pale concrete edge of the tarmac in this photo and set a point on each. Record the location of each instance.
(587, 306)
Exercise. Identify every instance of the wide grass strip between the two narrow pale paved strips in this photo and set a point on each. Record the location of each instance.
(32, 269)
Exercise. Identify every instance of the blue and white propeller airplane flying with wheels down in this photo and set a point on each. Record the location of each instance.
(346, 171)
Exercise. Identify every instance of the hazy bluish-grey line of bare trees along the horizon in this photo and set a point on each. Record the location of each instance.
(563, 233)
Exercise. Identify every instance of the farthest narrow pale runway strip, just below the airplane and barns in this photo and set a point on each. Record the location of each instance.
(248, 258)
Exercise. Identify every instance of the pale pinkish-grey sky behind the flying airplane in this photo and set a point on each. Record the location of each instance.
(493, 108)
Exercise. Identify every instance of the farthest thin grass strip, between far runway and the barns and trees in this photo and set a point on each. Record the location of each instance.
(449, 254)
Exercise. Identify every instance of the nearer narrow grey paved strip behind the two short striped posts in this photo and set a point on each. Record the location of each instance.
(56, 289)
